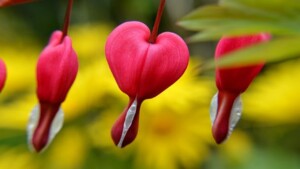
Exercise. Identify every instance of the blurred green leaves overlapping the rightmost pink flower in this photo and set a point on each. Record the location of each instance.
(280, 18)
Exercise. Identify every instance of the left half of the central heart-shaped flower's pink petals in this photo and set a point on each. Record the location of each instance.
(126, 49)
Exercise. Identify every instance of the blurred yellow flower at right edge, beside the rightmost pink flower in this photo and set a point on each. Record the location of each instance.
(274, 96)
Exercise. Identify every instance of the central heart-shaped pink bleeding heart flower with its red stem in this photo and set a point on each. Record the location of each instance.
(143, 65)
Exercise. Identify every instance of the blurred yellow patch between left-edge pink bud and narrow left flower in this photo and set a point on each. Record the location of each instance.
(18, 97)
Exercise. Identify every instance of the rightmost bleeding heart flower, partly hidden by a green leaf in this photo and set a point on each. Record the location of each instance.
(231, 82)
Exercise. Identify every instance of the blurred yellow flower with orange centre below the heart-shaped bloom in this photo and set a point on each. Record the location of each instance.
(174, 127)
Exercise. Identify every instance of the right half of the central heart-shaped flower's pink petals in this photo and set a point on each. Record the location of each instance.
(165, 62)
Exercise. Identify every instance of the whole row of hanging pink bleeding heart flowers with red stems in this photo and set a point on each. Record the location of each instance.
(143, 64)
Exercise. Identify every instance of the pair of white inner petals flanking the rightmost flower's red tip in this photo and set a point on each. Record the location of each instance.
(235, 113)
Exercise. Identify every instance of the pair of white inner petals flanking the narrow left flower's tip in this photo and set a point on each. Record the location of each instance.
(56, 125)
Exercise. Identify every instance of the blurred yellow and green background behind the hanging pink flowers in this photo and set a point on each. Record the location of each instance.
(175, 130)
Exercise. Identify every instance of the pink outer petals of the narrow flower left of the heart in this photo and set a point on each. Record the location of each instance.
(56, 69)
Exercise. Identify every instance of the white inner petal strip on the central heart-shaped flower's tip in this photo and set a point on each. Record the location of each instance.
(128, 121)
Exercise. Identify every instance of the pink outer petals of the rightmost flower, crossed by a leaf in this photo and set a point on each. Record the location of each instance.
(237, 79)
